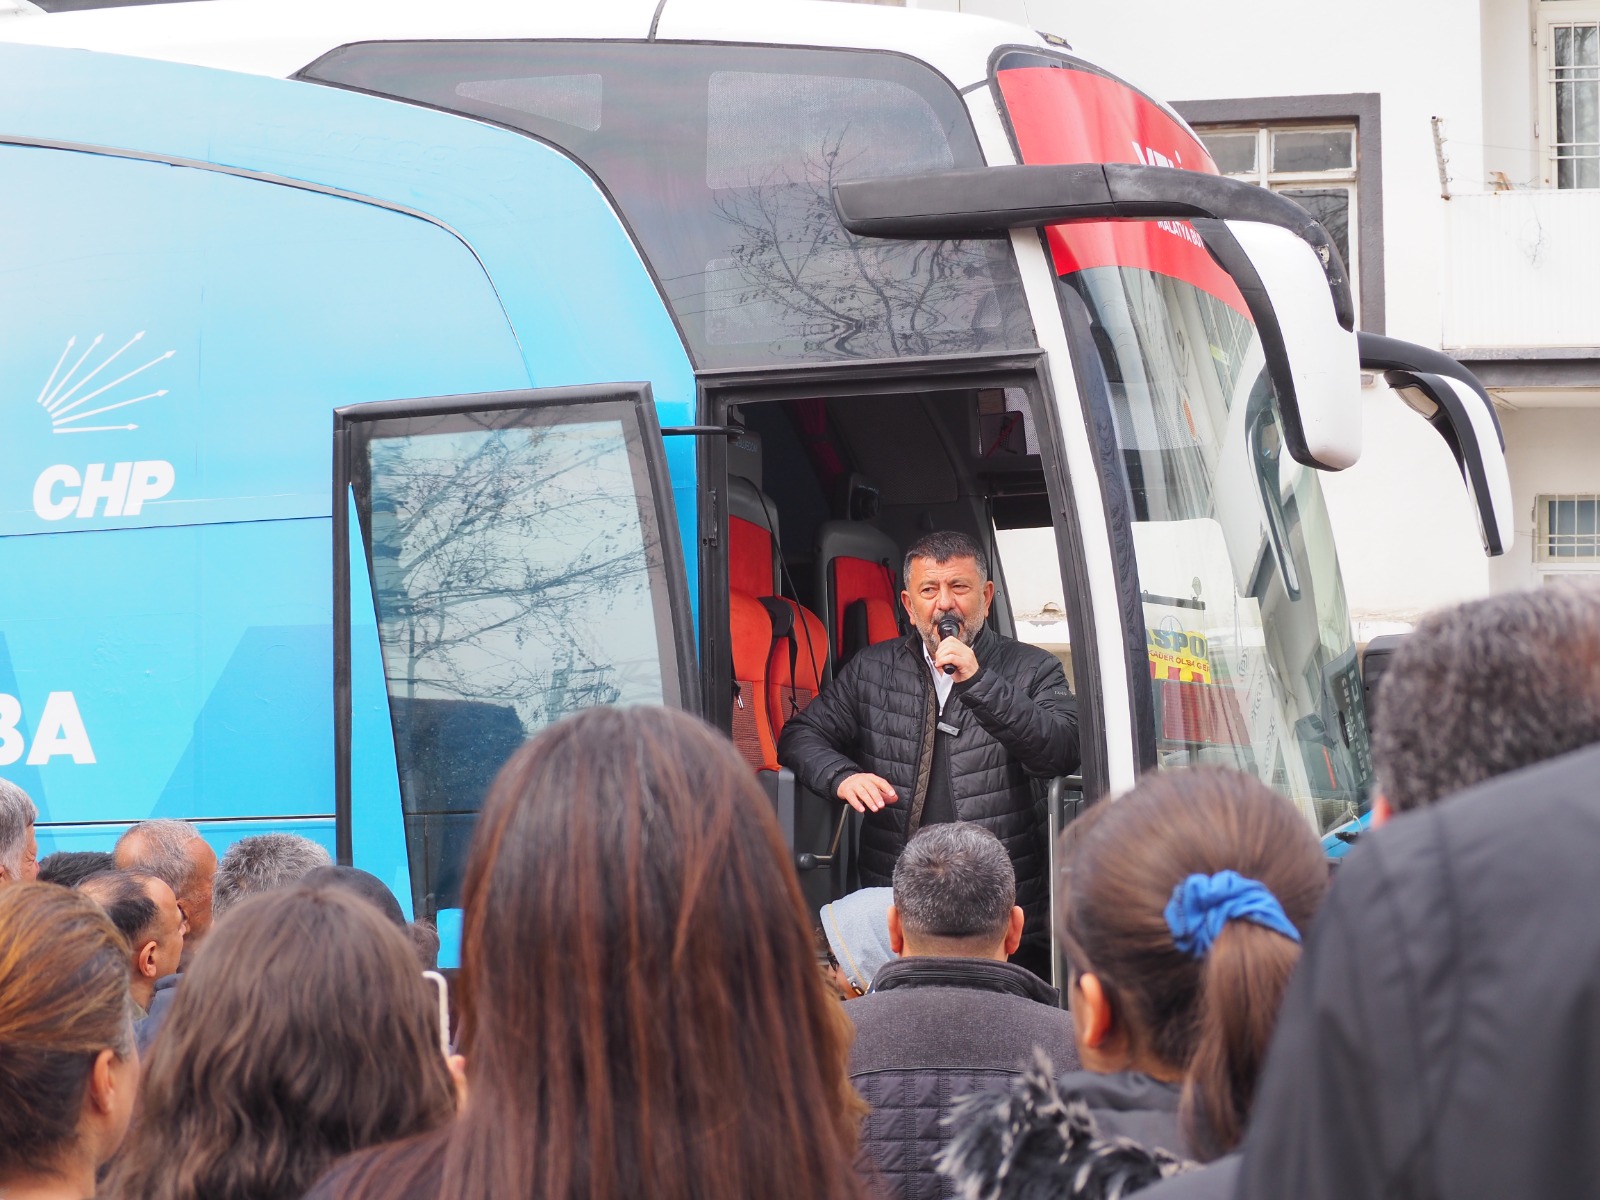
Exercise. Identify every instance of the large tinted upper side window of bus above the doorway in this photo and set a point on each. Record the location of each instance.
(722, 161)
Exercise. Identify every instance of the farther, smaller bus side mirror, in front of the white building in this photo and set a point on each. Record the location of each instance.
(1455, 404)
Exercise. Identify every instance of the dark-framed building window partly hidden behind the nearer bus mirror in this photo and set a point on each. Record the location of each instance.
(1311, 166)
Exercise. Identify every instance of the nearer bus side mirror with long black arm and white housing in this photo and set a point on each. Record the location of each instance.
(1282, 260)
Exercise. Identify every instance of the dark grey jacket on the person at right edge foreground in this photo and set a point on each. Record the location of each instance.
(1442, 1034)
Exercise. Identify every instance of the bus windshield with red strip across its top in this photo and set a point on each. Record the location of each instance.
(1249, 636)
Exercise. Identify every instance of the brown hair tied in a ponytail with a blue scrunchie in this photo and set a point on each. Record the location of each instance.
(1188, 898)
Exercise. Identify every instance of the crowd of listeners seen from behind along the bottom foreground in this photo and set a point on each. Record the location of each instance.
(647, 1009)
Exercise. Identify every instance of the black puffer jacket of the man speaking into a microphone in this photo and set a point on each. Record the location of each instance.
(1017, 718)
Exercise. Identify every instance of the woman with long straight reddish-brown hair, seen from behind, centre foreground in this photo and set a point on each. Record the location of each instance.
(642, 1009)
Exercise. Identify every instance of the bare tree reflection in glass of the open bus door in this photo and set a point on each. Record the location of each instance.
(511, 569)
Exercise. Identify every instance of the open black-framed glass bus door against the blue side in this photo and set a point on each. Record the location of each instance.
(500, 562)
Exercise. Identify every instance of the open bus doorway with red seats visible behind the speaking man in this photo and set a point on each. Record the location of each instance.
(825, 492)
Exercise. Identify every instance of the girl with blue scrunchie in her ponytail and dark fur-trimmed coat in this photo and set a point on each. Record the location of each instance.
(1182, 913)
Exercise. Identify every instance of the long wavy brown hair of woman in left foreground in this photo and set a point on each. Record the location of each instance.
(302, 1033)
